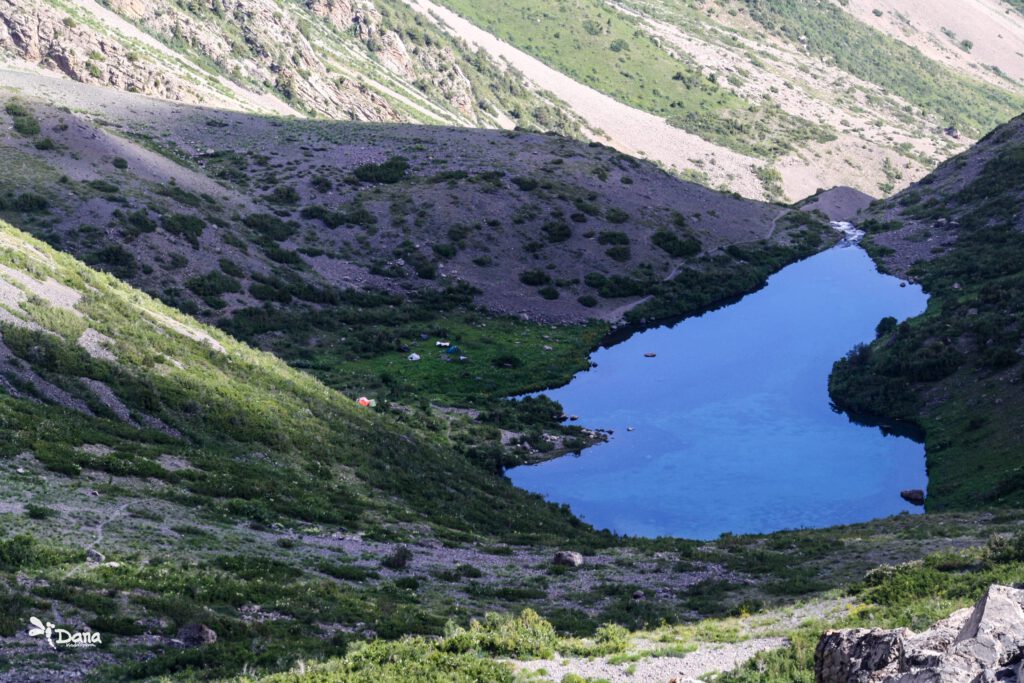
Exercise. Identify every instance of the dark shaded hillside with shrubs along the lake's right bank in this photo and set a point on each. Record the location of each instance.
(957, 370)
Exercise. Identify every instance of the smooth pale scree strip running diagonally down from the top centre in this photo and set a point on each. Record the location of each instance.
(628, 130)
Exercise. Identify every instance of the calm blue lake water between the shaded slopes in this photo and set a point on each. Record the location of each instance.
(734, 429)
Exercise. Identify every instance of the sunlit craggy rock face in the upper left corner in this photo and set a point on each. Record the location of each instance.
(266, 57)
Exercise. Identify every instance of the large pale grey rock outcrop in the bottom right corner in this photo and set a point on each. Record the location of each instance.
(984, 645)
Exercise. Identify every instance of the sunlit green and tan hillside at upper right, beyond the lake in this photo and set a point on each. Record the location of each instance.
(810, 95)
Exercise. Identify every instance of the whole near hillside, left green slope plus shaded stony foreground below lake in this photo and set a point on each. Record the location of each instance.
(212, 513)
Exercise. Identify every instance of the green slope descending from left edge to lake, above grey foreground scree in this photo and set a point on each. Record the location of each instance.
(263, 437)
